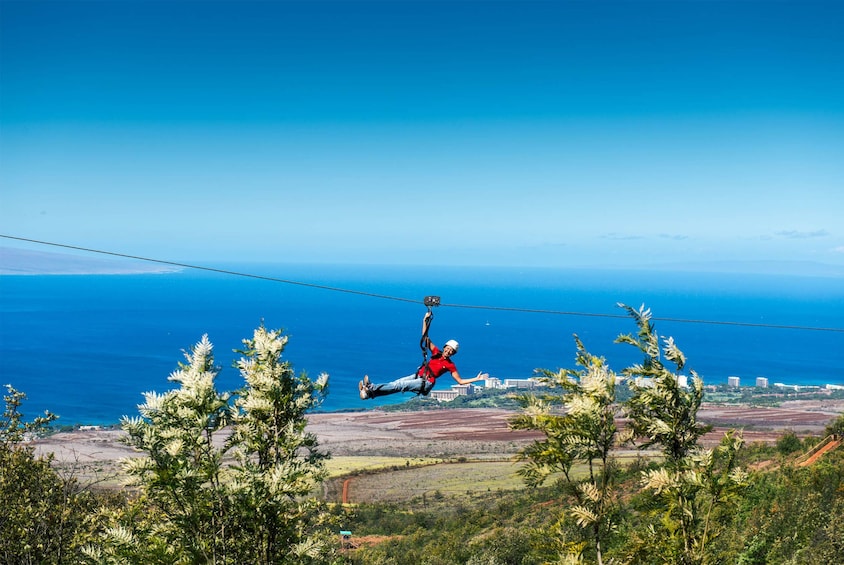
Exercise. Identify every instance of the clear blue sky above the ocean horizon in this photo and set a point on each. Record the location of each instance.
(509, 133)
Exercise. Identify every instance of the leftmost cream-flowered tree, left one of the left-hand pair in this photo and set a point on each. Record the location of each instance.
(180, 475)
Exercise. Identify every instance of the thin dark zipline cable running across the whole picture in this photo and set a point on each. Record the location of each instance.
(412, 301)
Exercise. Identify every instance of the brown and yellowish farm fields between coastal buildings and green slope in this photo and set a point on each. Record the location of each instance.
(445, 450)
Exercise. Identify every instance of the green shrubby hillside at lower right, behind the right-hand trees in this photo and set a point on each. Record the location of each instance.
(786, 515)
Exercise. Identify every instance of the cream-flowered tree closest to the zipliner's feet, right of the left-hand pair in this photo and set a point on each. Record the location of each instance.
(279, 462)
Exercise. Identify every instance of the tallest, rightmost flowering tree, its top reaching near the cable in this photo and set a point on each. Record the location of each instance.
(694, 488)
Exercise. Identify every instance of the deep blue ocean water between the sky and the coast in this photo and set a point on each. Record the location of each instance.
(87, 346)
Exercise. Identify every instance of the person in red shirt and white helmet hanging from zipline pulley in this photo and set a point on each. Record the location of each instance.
(423, 380)
